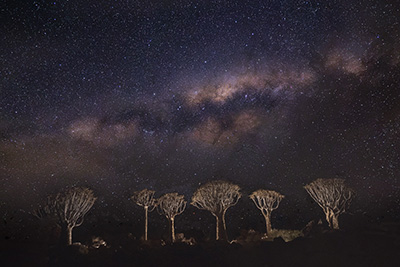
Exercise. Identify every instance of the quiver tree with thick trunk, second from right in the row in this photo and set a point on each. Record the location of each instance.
(266, 201)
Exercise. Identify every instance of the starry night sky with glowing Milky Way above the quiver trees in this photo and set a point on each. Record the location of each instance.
(124, 95)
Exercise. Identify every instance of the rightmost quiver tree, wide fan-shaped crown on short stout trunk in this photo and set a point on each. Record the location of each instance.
(333, 196)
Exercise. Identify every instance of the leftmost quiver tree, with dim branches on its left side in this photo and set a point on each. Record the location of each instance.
(68, 208)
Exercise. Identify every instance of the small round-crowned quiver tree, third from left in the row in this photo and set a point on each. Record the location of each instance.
(170, 205)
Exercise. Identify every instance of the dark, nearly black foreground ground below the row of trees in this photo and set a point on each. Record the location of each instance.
(376, 246)
